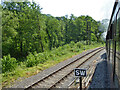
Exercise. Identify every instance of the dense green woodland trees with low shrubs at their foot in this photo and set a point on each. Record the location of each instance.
(29, 34)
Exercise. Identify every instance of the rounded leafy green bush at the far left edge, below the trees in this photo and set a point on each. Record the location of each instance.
(8, 63)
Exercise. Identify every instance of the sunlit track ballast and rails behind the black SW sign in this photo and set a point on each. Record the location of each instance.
(72, 82)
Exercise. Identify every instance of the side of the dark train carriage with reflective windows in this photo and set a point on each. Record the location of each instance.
(113, 44)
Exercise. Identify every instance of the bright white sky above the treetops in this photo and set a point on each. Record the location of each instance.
(97, 9)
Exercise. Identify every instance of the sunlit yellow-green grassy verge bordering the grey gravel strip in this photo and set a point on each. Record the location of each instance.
(54, 57)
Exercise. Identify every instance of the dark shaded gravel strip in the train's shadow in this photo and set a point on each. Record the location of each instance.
(101, 77)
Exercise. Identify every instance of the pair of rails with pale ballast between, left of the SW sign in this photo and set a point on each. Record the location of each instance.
(55, 79)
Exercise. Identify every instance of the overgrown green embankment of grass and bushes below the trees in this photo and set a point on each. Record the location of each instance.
(35, 62)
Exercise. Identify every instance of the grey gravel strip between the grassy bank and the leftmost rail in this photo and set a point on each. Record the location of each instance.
(31, 80)
